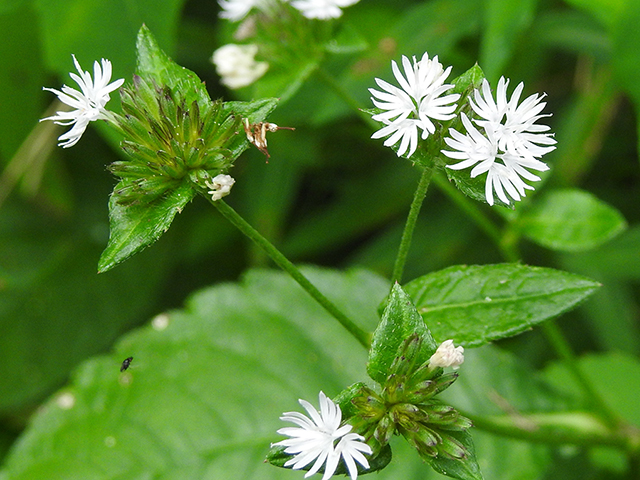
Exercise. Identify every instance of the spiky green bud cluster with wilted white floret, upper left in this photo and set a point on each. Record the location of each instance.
(170, 140)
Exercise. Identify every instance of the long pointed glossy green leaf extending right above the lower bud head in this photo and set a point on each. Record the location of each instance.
(474, 305)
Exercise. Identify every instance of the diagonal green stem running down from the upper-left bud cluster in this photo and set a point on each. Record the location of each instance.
(230, 214)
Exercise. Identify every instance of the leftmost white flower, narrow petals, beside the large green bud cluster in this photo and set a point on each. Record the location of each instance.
(88, 103)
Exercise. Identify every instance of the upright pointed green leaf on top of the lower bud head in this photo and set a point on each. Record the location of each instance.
(399, 320)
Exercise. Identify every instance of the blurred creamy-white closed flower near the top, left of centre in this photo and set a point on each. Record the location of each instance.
(237, 66)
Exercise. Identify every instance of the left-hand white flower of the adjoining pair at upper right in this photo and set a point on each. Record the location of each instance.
(412, 107)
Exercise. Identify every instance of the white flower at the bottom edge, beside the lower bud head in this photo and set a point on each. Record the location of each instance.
(314, 439)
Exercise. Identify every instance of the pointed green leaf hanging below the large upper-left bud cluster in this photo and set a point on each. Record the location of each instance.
(136, 226)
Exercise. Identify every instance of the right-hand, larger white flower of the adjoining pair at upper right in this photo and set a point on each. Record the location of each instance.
(504, 141)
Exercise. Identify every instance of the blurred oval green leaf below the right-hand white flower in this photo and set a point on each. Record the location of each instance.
(571, 220)
